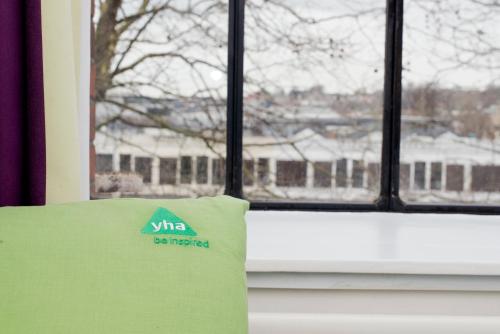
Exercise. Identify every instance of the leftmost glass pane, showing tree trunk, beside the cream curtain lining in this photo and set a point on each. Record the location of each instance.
(160, 96)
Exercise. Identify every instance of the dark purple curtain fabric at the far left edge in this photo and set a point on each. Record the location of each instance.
(22, 122)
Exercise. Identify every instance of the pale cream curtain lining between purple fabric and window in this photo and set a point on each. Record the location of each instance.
(61, 41)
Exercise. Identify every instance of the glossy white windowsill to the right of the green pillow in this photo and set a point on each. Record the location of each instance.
(373, 243)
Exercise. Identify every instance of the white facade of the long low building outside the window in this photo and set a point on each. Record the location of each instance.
(447, 149)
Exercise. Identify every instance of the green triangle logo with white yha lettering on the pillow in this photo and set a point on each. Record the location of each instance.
(166, 222)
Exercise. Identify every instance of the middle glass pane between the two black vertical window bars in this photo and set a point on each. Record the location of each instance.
(313, 98)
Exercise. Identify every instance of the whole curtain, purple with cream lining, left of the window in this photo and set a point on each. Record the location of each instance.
(44, 101)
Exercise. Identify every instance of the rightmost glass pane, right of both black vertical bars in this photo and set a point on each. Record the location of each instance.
(451, 101)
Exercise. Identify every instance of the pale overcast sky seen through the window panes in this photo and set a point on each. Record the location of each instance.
(433, 51)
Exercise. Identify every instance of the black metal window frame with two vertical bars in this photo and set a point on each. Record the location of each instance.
(389, 198)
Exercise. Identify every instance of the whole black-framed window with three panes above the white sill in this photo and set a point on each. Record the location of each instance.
(397, 110)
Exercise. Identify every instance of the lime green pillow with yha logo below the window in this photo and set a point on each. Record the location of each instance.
(124, 266)
